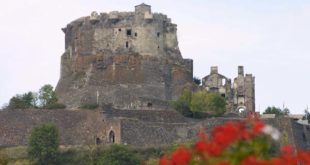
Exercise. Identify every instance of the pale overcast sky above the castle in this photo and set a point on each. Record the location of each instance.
(270, 38)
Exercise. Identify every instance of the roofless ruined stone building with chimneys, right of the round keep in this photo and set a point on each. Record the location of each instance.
(240, 96)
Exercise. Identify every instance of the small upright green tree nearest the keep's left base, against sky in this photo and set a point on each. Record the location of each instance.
(47, 96)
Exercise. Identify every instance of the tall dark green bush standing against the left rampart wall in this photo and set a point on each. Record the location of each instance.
(43, 144)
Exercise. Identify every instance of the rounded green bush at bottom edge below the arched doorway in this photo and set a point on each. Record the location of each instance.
(118, 155)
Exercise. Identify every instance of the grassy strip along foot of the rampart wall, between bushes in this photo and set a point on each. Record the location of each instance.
(81, 155)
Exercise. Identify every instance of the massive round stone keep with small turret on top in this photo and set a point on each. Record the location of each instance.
(128, 59)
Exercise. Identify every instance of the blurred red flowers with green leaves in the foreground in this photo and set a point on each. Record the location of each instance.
(247, 142)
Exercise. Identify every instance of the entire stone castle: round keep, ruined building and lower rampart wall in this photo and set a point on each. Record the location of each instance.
(130, 65)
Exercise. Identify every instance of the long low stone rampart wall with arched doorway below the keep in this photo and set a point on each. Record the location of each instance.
(133, 127)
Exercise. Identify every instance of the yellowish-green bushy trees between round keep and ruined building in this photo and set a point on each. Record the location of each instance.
(192, 104)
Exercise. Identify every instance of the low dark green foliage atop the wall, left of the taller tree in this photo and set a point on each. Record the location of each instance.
(23, 101)
